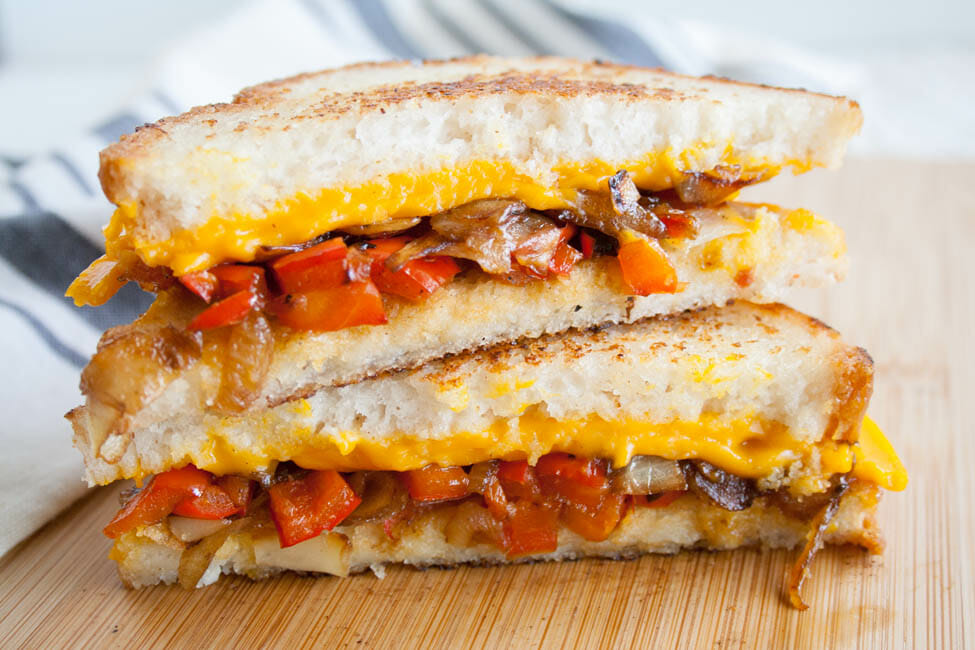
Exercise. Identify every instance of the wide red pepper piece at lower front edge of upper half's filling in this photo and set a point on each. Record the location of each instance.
(325, 310)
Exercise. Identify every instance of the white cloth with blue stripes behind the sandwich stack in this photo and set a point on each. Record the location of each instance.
(52, 210)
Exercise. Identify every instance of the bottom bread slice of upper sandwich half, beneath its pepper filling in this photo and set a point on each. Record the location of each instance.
(755, 255)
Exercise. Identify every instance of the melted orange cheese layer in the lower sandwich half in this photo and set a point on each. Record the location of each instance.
(746, 447)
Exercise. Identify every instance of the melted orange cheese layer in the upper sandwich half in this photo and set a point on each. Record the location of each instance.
(237, 236)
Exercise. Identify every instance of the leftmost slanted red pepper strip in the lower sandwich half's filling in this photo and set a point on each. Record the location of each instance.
(158, 498)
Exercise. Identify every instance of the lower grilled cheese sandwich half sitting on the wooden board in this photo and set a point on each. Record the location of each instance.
(720, 428)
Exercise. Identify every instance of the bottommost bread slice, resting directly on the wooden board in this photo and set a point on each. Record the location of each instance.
(152, 555)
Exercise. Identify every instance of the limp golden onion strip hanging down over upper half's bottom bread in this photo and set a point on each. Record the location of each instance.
(247, 358)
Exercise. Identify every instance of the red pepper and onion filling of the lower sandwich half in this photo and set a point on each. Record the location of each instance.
(516, 508)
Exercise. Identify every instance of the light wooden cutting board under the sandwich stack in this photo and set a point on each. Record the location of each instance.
(909, 299)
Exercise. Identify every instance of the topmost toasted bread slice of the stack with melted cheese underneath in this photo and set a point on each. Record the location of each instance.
(291, 159)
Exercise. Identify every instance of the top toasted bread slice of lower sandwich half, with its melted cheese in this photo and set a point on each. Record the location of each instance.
(761, 391)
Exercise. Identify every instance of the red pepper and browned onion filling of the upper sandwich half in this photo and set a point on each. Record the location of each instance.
(511, 239)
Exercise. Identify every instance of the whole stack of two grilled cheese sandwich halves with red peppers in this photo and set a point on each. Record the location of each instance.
(482, 310)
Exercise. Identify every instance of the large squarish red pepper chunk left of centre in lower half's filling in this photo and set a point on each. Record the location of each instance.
(302, 508)
